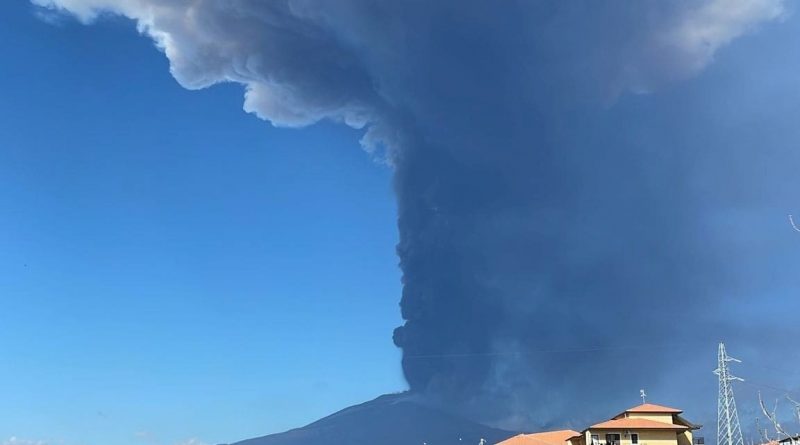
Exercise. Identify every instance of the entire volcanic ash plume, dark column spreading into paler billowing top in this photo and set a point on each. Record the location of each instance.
(559, 226)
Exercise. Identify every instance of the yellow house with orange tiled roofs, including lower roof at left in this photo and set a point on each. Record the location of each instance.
(646, 424)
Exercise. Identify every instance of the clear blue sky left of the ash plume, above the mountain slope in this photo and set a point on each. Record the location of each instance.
(171, 267)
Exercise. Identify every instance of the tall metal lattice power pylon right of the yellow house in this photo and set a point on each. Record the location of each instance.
(729, 431)
